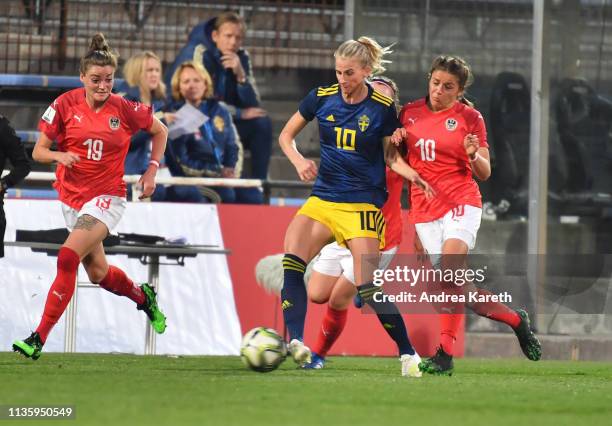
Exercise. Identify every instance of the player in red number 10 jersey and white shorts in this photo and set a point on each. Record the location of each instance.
(447, 146)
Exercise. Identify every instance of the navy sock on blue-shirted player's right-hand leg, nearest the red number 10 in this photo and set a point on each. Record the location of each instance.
(389, 317)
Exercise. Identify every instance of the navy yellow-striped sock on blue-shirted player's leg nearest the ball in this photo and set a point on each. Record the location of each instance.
(293, 296)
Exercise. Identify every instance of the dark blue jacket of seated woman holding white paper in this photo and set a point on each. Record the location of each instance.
(206, 152)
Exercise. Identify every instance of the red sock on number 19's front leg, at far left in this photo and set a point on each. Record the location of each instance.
(61, 291)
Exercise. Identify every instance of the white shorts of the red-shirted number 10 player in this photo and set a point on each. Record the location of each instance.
(461, 223)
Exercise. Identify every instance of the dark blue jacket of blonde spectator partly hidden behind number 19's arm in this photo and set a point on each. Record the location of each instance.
(139, 153)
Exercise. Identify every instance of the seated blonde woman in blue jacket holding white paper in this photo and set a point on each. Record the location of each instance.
(210, 152)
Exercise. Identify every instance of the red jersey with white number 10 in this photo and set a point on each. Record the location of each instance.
(436, 152)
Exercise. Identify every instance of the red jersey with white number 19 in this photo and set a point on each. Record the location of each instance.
(101, 140)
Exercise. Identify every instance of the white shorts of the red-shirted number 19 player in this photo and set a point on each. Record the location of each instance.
(108, 209)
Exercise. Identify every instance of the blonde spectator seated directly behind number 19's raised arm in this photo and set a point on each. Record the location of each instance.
(143, 83)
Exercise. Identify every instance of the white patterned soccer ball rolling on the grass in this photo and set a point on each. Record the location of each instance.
(263, 349)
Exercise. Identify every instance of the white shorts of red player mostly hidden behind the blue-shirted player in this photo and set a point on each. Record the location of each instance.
(336, 260)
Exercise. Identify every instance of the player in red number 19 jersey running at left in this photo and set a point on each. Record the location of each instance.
(92, 128)
